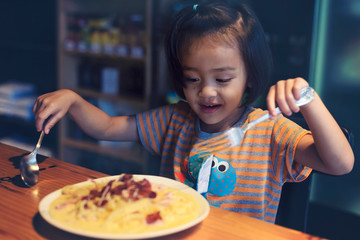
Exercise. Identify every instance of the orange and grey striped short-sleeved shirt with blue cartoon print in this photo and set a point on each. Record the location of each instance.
(247, 178)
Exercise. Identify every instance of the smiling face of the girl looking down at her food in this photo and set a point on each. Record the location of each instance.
(215, 81)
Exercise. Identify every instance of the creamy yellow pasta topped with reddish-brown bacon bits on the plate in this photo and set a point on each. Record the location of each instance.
(125, 205)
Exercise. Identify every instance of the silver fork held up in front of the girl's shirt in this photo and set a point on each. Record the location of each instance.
(233, 136)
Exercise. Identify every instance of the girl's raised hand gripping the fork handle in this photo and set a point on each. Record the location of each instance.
(284, 94)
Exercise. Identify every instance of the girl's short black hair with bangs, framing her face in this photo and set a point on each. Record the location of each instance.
(231, 21)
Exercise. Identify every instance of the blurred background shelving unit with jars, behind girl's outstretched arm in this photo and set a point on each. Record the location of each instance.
(105, 55)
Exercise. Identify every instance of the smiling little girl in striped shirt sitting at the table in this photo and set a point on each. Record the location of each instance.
(220, 62)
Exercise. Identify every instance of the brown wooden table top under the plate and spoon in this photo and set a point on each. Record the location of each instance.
(20, 218)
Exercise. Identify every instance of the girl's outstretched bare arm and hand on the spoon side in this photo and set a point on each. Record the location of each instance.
(92, 120)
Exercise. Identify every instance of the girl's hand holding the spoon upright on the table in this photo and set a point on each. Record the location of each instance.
(51, 107)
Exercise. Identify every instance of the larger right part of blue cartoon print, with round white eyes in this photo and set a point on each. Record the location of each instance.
(222, 179)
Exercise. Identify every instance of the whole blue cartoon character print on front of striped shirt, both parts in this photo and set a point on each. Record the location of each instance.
(222, 177)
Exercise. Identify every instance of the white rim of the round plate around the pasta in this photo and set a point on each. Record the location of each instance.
(203, 203)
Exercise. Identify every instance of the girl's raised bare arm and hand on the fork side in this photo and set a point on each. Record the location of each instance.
(327, 150)
